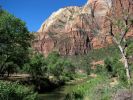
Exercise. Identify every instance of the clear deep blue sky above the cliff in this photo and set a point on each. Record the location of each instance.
(35, 12)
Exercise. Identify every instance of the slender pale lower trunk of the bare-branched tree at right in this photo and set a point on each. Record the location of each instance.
(125, 63)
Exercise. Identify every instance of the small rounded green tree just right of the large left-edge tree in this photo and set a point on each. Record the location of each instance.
(37, 66)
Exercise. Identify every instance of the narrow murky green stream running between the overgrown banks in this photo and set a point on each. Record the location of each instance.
(61, 92)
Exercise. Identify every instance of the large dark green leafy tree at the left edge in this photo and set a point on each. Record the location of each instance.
(14, 42)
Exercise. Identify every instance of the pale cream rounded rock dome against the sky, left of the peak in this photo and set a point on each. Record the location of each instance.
(58, 20)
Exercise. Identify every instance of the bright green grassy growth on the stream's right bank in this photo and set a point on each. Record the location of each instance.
(94, 89)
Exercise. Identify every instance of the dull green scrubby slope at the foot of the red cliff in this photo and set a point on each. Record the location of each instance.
(81, 61)
